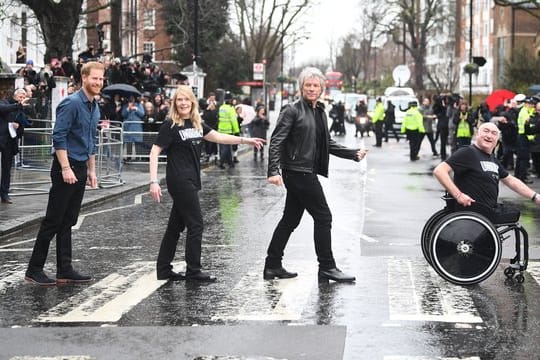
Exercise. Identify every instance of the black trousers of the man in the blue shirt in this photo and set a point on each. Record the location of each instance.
(62, 212)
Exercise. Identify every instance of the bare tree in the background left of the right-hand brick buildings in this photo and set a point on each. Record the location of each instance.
(416, 19)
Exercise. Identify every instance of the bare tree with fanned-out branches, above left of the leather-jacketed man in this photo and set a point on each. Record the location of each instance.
(268, 26)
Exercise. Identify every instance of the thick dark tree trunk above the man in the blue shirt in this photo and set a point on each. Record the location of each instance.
(58, 23)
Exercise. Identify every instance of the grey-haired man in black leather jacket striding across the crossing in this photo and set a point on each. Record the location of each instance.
(300, 148)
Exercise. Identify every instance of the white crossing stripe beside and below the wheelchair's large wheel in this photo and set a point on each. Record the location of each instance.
(417, 293)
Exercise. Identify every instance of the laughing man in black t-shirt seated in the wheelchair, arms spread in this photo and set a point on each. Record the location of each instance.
(476, 175)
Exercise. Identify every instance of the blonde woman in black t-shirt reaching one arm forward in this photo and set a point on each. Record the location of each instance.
(181, 136)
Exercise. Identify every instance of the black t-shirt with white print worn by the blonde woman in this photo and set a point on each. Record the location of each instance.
(183, 146)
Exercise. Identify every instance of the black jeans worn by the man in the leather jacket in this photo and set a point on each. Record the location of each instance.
(304, 192)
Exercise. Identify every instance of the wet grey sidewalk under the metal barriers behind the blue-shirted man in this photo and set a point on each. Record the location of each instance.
(28, 210)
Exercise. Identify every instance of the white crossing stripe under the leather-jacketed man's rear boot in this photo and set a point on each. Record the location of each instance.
(256, 299)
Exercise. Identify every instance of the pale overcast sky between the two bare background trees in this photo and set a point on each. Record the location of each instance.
(331, 19)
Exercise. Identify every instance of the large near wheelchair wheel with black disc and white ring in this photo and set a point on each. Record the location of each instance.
(465, 248)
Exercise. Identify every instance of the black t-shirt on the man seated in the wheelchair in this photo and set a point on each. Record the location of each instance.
(477, 174)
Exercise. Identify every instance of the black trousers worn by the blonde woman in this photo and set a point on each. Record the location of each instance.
(185, 212)
